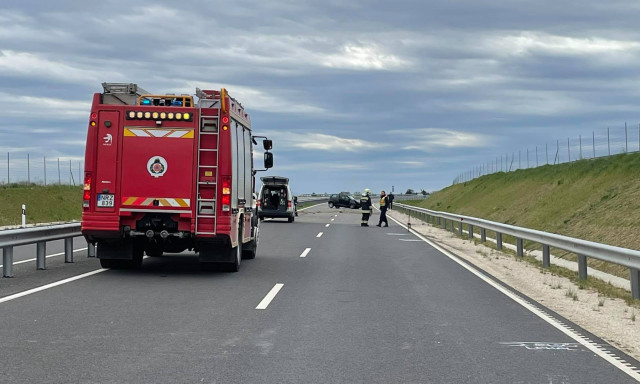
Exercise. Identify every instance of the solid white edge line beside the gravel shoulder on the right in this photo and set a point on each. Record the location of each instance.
(548, 318)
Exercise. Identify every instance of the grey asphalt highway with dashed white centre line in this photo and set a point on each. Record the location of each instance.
(325, 301)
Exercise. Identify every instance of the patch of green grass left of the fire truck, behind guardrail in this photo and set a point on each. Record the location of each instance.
(44, 204)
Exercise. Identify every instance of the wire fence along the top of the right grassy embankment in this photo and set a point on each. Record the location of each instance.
(609, 142)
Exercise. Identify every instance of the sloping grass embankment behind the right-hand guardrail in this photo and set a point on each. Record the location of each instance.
(596, 200)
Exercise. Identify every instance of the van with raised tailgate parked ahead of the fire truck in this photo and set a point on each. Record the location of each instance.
(275, 199)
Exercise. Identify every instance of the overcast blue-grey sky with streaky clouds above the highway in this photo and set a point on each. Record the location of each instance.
(355, 94)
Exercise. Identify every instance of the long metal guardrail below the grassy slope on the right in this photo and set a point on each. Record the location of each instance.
(622, 256)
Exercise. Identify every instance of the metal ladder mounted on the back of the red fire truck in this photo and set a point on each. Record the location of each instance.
(208, 126)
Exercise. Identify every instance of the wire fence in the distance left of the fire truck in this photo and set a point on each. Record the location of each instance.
(25, 169)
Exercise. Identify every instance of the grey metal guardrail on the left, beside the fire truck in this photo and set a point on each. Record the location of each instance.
(39, 235)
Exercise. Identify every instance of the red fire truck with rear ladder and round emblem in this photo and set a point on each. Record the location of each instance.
(166, 173)
